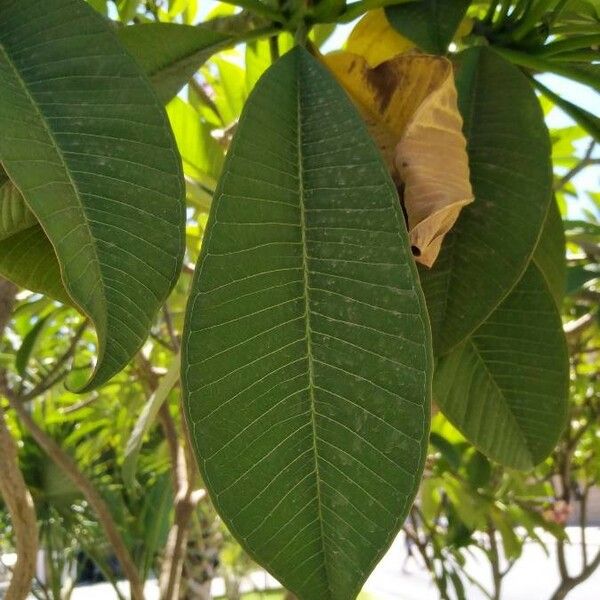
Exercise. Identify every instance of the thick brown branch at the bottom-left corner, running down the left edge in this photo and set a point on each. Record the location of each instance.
(22, 513)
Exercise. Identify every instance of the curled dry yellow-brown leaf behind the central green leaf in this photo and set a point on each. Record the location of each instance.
(410, 106)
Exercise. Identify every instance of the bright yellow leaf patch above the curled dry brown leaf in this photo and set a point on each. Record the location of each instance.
(376, 40)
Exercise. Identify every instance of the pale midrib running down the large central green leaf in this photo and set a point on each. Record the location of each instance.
(308, 336)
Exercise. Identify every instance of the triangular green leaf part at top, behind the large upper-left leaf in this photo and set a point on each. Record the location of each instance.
(170, 54)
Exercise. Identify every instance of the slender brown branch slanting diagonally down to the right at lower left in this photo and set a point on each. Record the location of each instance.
(95, 500)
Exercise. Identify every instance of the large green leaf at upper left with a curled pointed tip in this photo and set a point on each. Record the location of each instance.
(88, 144)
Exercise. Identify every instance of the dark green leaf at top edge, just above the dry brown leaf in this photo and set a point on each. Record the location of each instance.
(430, 24)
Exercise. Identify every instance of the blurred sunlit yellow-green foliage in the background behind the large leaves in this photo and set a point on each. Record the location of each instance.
(140, 465)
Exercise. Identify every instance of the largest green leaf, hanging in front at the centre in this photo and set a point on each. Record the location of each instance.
(306, 351)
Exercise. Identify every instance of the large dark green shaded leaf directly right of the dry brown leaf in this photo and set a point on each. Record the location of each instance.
(486, 252)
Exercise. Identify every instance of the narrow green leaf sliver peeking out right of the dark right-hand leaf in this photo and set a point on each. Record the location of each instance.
(550, 254)
